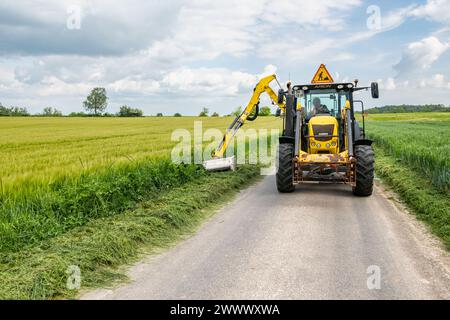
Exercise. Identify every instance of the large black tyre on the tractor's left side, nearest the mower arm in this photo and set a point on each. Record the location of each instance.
(285, 171)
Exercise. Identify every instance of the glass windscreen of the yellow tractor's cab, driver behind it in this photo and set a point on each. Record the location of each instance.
(325, 101)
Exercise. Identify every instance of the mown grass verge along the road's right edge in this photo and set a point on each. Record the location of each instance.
(430, 204)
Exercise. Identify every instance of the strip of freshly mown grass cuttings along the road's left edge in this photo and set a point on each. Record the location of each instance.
(101, 245)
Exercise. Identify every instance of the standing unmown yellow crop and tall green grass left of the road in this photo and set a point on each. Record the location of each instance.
(60, 173)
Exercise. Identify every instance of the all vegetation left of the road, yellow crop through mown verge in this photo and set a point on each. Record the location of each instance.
(94, 193)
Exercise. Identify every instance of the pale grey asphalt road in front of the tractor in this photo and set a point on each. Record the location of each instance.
(319, 242)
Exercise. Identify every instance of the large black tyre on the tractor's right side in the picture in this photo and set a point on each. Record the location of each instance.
(365, 165)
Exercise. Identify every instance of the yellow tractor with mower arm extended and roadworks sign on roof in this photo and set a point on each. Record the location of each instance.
(321, 140)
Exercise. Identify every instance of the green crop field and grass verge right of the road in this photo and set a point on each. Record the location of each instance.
(413, 157)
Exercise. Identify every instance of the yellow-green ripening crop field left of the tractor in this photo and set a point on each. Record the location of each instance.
(37, 151)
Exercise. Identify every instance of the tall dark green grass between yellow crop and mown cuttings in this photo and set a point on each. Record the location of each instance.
(69, 203)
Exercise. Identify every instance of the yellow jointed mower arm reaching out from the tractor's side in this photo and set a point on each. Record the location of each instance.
(262, 86)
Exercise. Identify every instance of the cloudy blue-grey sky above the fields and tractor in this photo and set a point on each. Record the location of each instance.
(179, 56)
